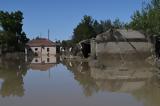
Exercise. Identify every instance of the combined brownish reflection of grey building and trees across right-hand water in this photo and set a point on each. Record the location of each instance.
(135, 77)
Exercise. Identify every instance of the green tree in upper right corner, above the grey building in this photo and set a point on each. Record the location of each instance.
(148, 19)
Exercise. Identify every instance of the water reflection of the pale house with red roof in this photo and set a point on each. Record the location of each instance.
(43, 63)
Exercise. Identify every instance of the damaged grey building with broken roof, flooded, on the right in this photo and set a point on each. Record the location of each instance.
(120, 41)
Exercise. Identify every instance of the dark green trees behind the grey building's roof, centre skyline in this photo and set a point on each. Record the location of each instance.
(89, 28)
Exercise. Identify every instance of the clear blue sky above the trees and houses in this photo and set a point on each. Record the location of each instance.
(62, 16)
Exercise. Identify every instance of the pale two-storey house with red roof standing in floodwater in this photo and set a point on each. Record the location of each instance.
(40, 47)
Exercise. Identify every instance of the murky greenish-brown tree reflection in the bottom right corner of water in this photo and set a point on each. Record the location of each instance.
(149, 93)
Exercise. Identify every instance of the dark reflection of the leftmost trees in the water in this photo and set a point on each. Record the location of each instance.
(12, 72)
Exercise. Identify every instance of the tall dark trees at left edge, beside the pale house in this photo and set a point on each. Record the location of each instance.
(12, 37)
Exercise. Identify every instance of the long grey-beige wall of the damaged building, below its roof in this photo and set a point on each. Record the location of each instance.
(123, 47)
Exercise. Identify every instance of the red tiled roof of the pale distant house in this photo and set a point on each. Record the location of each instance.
(40, 42)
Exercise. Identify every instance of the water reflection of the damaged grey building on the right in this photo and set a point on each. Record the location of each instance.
(114, 74)
